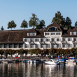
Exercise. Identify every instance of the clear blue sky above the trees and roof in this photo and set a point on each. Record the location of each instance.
(18, 10)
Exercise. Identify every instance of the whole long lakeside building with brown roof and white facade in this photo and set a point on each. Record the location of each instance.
(53, 36)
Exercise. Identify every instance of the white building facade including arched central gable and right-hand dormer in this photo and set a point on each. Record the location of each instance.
(52, 39)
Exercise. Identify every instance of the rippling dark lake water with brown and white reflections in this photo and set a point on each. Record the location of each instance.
(37, 70)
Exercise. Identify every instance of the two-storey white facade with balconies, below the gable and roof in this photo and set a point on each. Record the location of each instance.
(50, 42)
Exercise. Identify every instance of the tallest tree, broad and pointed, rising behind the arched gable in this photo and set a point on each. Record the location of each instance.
(58, 19)
